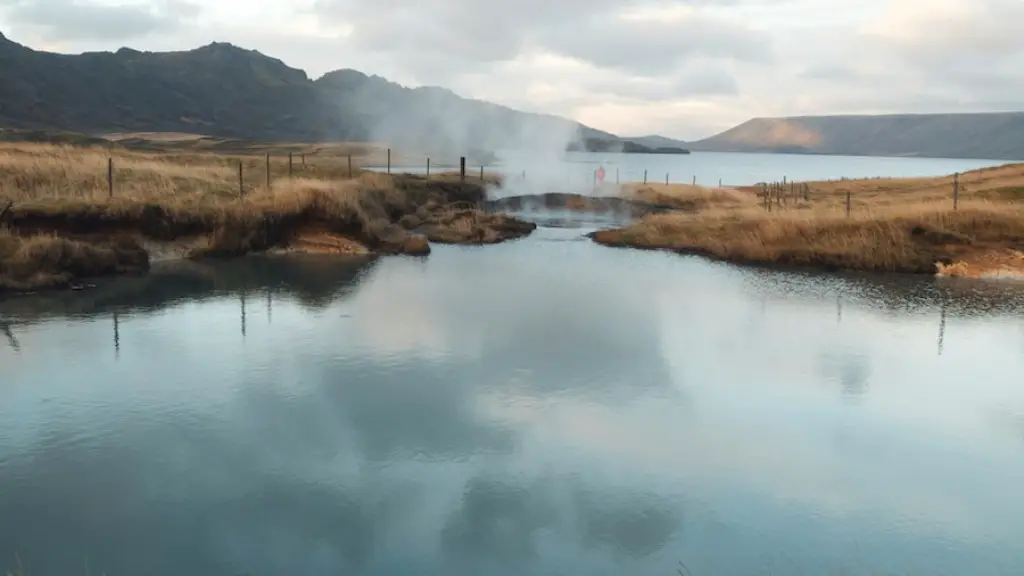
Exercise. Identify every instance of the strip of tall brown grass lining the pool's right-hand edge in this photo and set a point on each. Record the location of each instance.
(912, 239)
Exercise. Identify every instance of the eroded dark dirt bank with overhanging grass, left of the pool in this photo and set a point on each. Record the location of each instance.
(48, 244)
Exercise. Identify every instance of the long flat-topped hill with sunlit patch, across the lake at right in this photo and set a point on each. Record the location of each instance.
(989, 136)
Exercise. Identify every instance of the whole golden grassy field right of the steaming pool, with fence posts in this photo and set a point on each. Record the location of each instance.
(893, 226)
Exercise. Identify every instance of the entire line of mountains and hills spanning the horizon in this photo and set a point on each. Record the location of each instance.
(222, 90)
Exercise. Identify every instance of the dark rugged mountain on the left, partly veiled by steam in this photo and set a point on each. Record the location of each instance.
(224, 91)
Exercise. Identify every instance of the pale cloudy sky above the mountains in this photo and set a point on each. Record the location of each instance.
(687, 69)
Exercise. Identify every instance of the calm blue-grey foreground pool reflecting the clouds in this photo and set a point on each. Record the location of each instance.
(546, 406)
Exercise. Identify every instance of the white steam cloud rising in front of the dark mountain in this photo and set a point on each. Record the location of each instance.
(530, 150)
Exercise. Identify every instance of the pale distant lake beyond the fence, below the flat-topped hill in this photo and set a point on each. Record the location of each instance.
(576, 171)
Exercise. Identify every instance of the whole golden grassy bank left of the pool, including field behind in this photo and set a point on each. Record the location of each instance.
(62, 200)
